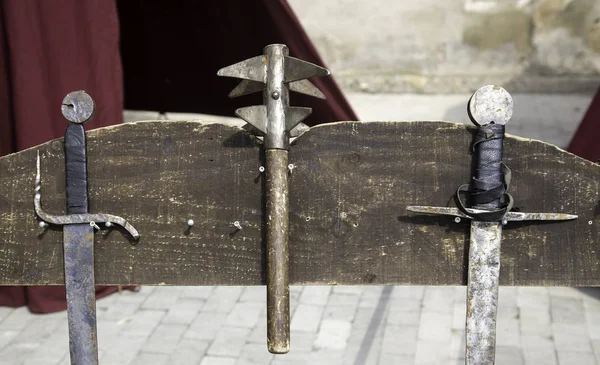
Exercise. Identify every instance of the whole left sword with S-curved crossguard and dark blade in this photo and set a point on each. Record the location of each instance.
(78, 232)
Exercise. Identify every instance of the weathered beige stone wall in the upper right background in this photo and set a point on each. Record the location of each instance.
(449, 46)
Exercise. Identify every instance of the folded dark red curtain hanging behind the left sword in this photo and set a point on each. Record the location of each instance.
(48, 49)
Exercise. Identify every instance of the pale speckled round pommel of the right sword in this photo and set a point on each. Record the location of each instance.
(490, 104)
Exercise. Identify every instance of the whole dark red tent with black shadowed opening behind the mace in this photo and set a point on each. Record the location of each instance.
(169, 52)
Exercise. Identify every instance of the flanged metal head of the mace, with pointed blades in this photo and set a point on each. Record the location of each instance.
(275, 73)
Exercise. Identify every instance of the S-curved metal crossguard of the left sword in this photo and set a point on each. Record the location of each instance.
(60, 220)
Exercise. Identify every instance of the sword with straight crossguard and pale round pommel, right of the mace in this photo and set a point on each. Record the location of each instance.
(490, 108)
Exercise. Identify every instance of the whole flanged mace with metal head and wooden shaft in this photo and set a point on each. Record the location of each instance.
(275, 73)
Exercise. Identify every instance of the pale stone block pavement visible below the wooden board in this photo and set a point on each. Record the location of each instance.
(330, 325)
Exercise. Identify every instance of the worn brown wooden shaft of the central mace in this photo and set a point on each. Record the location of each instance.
(277, 238)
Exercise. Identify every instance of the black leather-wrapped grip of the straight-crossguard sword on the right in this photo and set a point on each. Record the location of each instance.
(487, 186)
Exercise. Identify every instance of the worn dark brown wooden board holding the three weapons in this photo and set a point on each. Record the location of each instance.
(349, 190)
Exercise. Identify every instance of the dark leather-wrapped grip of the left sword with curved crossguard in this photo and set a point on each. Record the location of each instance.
(76, 169)
